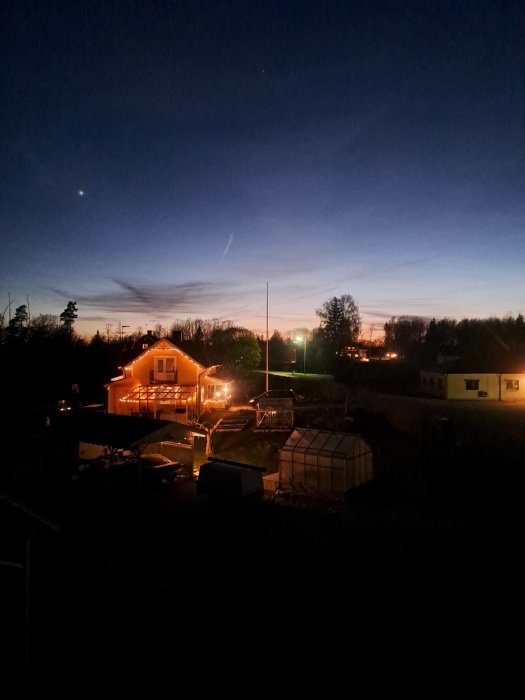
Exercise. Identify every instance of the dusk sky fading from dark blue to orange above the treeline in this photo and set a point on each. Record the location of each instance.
(165, 160)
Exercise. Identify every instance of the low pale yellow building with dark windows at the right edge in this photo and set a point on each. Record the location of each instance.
(509, 386)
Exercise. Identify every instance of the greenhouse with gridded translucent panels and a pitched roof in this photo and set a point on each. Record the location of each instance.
(324, 463)
